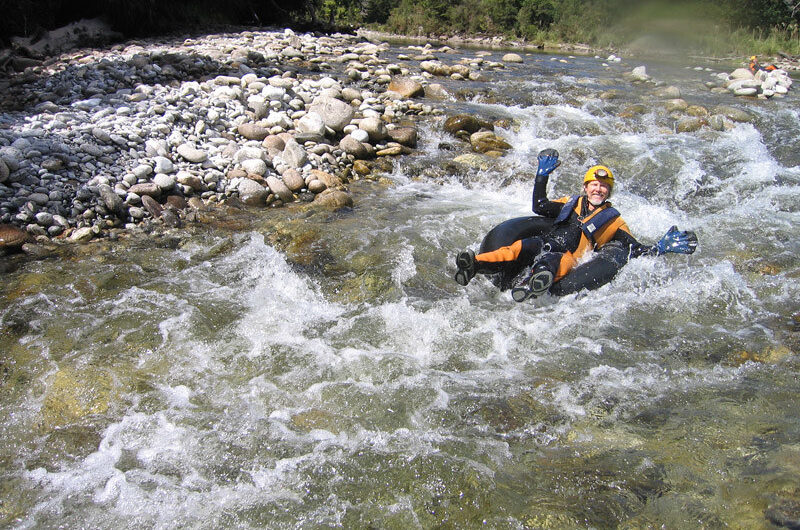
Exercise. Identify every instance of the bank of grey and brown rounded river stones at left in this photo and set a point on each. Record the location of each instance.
(97, 141)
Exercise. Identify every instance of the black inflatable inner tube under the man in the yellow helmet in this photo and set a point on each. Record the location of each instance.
(590, 275)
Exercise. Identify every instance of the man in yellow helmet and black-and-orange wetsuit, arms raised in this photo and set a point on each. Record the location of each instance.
(582, 222)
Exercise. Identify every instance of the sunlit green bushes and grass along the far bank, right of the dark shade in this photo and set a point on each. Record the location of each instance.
(715, 27)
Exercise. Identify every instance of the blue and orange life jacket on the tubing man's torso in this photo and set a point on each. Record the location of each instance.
(597, 229)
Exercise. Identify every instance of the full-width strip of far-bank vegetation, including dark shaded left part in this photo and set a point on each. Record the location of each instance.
(716, 27)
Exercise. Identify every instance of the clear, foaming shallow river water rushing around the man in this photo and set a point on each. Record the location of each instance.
(208, 379)
